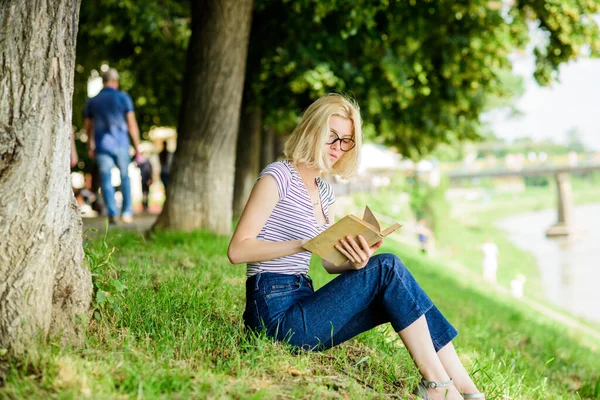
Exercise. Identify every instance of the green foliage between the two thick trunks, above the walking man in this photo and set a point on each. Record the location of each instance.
(146, 42)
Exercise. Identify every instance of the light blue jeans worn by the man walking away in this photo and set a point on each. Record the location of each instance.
(106, 161)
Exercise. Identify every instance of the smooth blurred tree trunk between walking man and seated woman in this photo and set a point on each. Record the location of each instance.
(201, 185)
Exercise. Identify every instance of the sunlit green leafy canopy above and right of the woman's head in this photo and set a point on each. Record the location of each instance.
(422, 70)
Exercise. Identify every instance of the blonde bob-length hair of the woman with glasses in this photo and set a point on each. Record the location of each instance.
(308, 139)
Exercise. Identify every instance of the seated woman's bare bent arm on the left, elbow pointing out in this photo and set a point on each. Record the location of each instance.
(244, 247)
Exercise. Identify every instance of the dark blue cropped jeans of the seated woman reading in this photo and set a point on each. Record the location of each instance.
(288, 308)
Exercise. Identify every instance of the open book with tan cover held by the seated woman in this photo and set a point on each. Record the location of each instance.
(350, 225)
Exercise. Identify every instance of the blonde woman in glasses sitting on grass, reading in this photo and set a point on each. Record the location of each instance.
(290, 205)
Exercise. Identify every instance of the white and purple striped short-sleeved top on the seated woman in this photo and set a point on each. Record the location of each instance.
(292, 218)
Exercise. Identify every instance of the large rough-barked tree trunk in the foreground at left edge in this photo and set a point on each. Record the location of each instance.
(43, 285)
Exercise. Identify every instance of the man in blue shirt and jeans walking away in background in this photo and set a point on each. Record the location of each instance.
(109, 121)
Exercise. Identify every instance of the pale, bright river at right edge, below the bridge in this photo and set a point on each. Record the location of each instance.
(570, 267)
